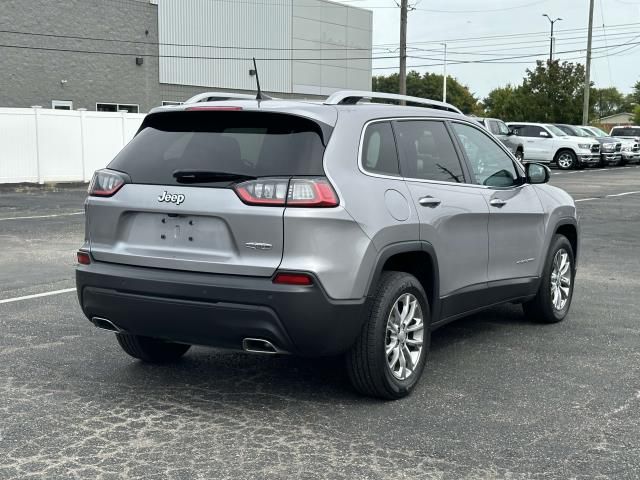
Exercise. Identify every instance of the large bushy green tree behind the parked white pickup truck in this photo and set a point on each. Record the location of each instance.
(549, 93)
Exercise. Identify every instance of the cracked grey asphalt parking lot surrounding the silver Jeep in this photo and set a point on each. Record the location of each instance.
(501, 397)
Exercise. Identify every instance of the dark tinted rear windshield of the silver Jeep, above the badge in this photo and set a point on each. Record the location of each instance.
(251, 144)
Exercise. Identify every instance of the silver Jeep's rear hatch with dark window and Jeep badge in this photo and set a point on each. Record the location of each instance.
(178, 208)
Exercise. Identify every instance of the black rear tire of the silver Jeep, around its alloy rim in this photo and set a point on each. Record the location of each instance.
(367, 362)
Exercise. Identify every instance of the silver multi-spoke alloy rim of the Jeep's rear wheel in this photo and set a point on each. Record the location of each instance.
(404, 336)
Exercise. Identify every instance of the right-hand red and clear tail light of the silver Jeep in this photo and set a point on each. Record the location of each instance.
(295, 192)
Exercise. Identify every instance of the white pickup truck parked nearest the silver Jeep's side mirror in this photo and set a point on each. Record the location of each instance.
(546, 143)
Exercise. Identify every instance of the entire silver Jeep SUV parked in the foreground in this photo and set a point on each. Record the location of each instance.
(319, 229)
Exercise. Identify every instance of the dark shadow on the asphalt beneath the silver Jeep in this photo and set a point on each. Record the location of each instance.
(218, 375)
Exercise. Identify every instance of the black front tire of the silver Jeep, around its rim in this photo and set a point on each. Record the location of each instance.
(541, 308)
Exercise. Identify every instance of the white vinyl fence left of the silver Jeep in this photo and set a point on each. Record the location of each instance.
(40, 145)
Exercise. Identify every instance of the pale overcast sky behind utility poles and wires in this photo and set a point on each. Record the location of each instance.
(523, 20)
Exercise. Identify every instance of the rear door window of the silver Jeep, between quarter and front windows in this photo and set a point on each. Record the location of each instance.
(427, 151)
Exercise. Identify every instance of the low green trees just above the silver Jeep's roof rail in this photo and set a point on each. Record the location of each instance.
(429, 85)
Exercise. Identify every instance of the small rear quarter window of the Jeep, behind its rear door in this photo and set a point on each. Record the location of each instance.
(379, 153)
